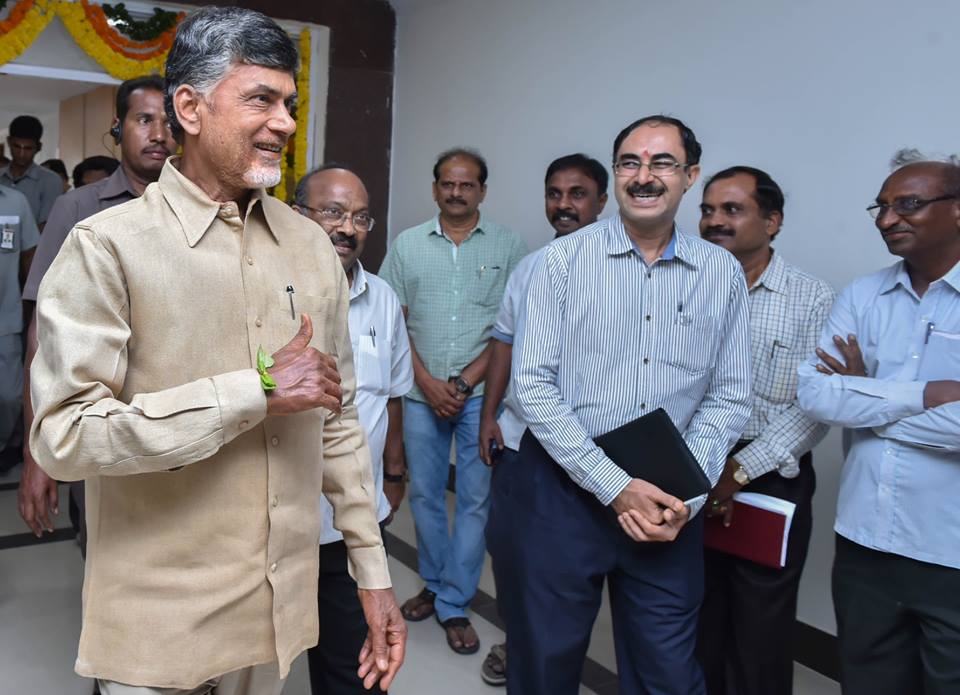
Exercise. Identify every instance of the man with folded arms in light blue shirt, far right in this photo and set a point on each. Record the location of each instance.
(887, 369)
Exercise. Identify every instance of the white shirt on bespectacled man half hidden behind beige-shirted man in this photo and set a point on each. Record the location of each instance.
(381, 353)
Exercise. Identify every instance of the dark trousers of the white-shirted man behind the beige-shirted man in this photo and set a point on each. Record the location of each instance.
(334, 661)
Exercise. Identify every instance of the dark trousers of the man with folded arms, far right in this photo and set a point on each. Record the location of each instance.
(898, 623)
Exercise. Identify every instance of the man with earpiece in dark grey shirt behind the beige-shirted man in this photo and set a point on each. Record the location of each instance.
(140, 129)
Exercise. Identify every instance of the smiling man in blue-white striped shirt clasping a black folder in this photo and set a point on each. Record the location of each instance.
(623, 318)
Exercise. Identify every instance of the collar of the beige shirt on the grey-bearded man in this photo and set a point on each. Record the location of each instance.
(195, 210)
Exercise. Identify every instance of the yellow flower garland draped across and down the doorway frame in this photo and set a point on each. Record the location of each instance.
(36, 19)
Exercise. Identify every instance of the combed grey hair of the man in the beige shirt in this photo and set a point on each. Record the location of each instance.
(212, 39)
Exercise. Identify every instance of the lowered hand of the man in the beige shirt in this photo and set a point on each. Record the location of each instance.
(385, 647)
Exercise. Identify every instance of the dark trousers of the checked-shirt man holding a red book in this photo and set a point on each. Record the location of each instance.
(745, 637)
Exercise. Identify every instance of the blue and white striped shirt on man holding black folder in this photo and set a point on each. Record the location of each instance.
(606, 338)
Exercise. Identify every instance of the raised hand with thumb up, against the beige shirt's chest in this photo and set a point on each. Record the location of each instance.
(306, 378)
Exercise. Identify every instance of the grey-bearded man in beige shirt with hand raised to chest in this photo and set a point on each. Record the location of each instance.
(194, 365)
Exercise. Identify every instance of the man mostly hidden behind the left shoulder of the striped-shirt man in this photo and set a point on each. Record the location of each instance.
(575, 193)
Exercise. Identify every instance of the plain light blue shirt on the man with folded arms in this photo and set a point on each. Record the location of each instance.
(901, 477)
